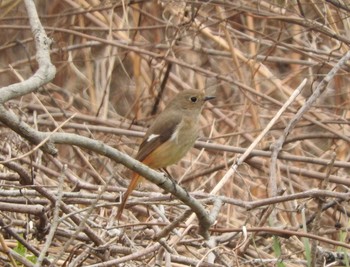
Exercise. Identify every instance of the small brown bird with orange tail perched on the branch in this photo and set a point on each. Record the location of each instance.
(171, 135)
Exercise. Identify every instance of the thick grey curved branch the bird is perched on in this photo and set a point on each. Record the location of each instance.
(11, 120)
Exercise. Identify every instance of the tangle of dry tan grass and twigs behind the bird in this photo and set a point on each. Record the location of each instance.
(112, 62)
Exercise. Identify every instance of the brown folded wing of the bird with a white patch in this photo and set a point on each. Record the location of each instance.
(159, 132)
